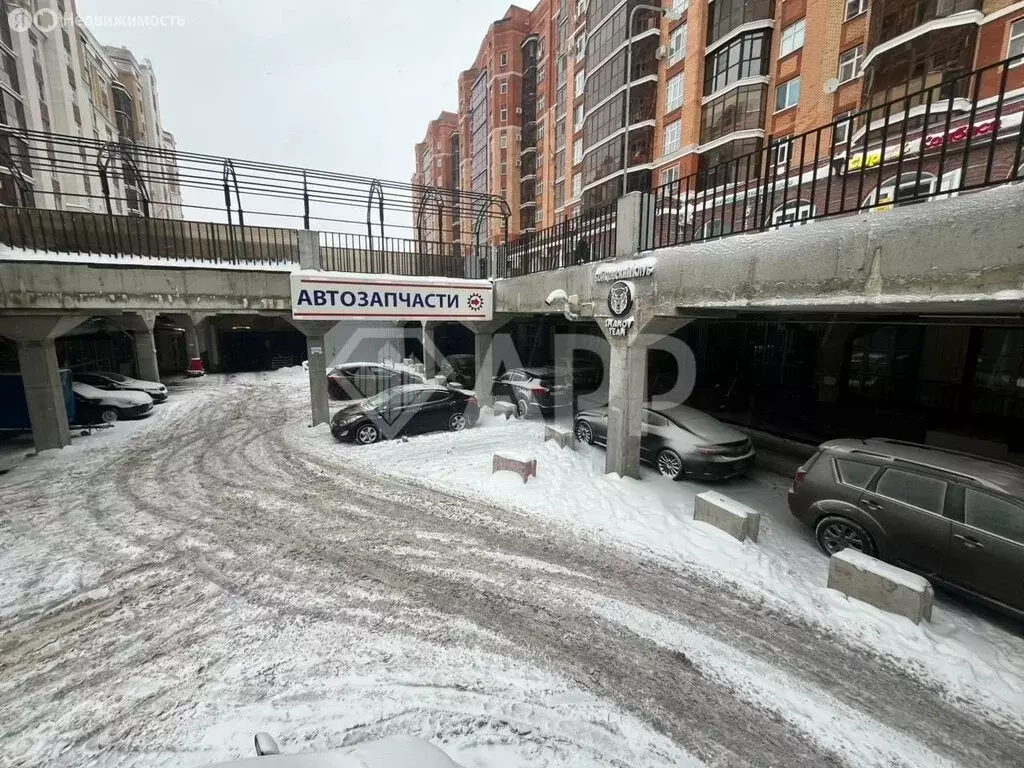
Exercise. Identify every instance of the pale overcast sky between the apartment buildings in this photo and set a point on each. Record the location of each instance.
(343, 86)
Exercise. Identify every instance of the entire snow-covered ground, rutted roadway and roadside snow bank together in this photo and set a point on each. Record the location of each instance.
(172, 586)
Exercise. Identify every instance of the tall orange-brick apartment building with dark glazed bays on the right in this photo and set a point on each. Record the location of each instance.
(542, 111)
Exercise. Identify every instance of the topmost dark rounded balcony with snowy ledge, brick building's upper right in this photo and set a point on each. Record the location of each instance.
(898, 23)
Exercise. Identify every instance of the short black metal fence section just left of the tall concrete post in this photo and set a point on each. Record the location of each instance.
(588, 237)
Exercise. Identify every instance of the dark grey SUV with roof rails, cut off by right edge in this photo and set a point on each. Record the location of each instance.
(956, 519)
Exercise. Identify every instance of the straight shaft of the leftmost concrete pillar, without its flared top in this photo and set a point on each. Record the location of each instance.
(45, 395)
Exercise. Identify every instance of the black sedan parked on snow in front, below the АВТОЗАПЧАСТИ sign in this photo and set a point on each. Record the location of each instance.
(412, 409)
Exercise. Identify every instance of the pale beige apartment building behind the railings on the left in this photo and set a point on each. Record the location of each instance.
(68, 83)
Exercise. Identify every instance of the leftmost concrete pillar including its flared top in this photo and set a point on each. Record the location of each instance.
(35, 337)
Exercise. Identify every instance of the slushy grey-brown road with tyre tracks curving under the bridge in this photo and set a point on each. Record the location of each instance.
(210, 522)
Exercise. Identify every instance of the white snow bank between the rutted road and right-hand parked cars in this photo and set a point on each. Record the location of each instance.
(960, 649)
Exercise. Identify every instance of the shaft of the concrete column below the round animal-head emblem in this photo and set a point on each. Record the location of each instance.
(627, 376)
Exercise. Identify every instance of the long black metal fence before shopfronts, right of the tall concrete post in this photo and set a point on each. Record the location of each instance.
(960, 136)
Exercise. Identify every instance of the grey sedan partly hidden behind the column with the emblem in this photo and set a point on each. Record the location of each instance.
(679, 442)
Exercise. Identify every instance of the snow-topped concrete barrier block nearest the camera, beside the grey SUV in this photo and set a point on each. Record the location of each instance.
(879, 584)
